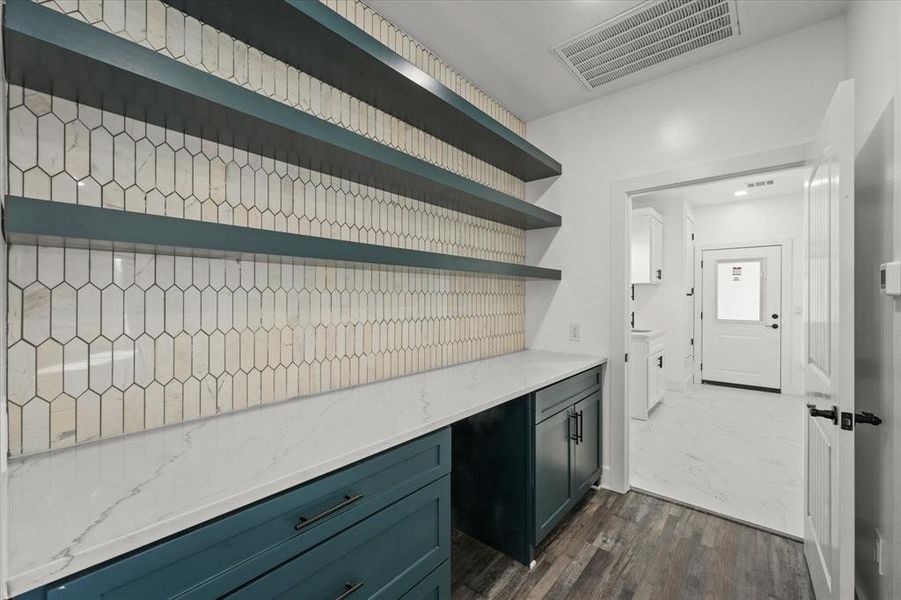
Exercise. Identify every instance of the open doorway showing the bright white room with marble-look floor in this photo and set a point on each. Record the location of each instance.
(715, 358)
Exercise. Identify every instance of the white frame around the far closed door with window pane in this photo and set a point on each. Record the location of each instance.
(788, 383)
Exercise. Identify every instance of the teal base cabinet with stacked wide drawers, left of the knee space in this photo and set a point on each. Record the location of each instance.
(377, 529)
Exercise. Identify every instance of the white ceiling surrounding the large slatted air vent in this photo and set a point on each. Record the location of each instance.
(504, 46)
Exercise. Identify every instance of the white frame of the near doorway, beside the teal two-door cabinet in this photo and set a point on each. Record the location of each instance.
(616, 411)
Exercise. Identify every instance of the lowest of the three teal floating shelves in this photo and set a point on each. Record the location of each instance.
(30, 221)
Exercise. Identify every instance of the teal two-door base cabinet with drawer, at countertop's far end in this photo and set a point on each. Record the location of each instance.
(519, 468)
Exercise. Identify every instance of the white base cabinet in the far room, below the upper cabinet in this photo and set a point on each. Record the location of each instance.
(647, 379)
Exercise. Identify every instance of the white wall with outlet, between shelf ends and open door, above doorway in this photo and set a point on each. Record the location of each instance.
(768, 96)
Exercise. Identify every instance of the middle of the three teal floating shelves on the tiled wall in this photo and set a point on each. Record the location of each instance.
(51, 52)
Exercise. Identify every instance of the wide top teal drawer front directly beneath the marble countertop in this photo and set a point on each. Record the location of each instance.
(217, 557)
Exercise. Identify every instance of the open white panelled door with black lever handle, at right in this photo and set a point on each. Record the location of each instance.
(829, 351)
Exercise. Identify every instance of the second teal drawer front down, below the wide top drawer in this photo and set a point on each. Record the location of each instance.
(382, 557)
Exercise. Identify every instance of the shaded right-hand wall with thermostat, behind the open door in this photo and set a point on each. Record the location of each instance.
(873, 60)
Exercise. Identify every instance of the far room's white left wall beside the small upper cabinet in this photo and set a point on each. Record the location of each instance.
(661, 306)
